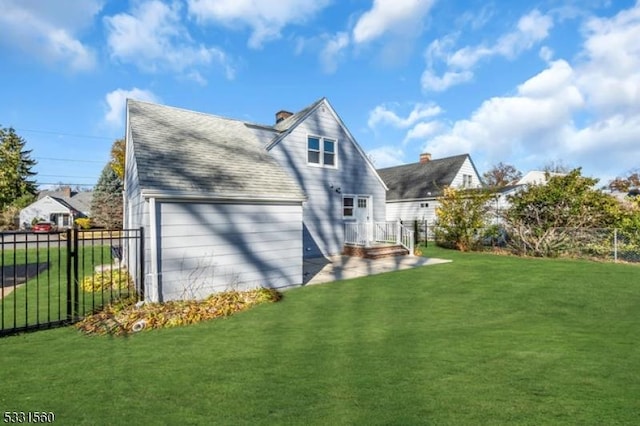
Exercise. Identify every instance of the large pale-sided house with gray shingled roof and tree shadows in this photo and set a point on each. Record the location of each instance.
(230, 204)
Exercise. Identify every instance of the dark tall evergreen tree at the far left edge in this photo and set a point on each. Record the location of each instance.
(15, 169)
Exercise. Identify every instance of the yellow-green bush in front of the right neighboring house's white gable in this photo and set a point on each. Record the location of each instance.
(462, 218)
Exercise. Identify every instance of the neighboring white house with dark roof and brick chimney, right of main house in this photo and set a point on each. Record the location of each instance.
(414, 188)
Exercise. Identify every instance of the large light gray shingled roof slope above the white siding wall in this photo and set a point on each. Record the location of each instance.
(184, 151)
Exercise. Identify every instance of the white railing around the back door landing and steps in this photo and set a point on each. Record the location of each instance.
(393, 232)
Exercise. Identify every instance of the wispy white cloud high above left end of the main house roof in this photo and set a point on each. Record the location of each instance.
(153, 38)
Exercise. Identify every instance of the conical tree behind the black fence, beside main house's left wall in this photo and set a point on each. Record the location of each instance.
(106, 204)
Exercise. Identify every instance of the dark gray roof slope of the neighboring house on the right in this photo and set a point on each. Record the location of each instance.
(421, 180)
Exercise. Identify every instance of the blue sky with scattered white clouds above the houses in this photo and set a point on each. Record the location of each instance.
(525, 83)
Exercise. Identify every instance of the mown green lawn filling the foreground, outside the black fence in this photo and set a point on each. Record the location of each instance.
(482, 340)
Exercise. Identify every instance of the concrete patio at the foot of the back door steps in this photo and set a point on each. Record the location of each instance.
(323, 270)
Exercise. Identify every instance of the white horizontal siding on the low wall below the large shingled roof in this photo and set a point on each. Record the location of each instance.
(209, 247)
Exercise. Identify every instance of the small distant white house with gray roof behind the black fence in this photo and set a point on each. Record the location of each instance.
(60, 207)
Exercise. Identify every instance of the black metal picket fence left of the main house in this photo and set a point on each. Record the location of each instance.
(55, 279)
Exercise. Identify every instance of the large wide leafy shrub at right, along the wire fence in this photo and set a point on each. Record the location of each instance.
(542, 217)
